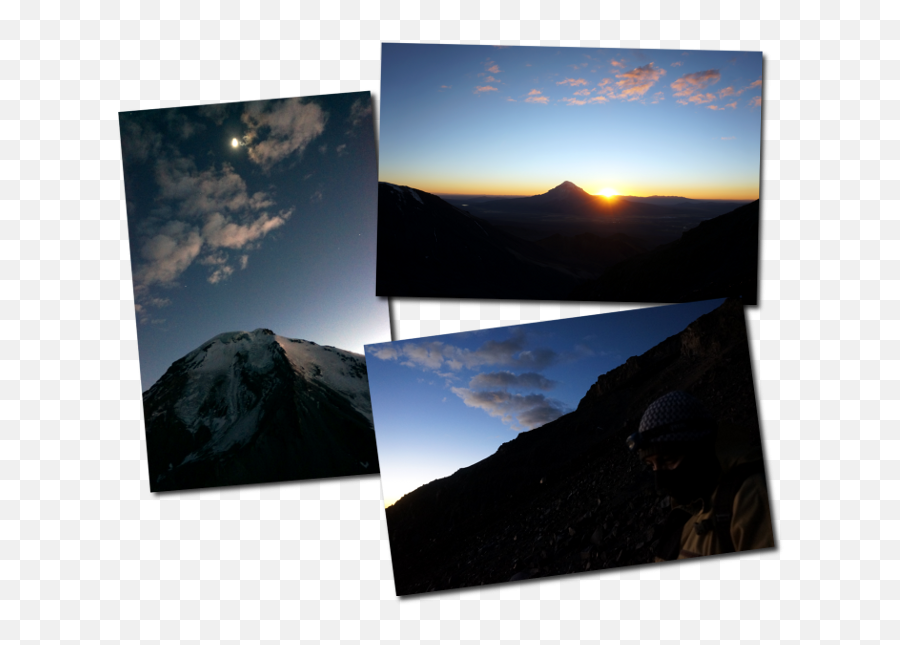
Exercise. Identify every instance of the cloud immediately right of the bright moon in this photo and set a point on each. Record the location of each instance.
(275, 133)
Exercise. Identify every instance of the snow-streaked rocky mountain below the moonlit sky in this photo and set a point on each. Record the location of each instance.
(252, 407)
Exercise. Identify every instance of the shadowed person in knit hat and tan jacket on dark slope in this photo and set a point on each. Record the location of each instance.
(720, 503)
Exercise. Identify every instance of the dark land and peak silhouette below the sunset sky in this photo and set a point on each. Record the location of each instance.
(564, 245)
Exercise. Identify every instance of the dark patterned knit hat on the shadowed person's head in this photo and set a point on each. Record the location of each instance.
(674, 423)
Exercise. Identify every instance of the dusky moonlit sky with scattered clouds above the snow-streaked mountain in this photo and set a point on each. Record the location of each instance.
(278, 232)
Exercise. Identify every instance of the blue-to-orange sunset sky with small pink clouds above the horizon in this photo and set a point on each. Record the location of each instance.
(476, 119)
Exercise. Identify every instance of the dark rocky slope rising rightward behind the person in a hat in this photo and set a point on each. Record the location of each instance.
(569, 496)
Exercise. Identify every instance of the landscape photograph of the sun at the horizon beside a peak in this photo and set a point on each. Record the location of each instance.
(536, 172)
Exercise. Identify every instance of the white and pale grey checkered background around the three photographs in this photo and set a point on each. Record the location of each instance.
(89, 554)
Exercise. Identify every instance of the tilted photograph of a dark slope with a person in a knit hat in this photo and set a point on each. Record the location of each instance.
(532, 451)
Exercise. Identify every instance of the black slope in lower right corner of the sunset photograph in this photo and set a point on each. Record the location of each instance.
(718, 258)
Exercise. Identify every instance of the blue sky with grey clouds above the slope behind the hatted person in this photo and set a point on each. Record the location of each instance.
(445, 402)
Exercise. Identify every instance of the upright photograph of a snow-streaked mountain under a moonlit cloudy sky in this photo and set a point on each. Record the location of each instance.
(252, 233)
